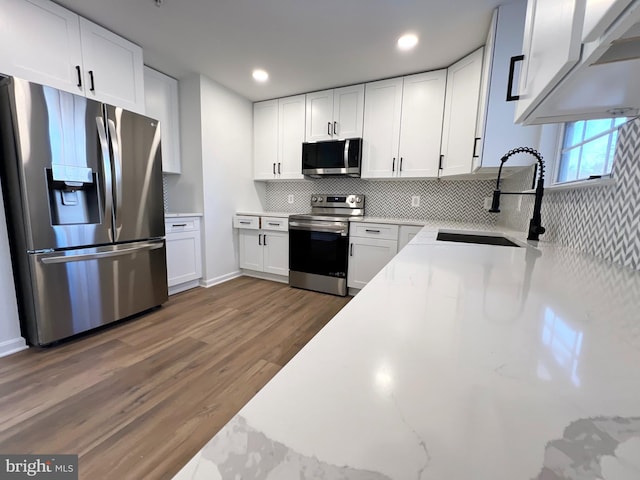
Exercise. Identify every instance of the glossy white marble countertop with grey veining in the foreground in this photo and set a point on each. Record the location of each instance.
(456, 362)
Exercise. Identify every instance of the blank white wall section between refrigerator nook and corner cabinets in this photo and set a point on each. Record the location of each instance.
(227, 173)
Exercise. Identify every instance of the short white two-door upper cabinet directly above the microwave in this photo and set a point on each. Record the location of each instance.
(334, 114)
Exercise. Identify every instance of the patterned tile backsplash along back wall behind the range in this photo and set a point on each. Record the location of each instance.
(452, 200)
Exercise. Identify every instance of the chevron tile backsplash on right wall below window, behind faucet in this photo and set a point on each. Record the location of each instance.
(603, 221)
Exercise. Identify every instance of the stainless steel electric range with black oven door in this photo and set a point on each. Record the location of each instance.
(319, 243)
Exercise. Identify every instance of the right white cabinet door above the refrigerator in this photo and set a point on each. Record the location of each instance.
(114, 71)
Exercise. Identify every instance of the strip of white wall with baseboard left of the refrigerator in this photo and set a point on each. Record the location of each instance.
(10, 339)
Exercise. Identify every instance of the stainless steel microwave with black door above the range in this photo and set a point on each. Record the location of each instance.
(332, 158)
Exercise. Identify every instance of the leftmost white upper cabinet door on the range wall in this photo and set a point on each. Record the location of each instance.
(265, 140)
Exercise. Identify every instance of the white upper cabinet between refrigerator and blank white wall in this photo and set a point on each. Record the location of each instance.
(161, 103)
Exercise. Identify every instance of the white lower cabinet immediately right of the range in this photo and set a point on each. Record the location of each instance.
(371, 247)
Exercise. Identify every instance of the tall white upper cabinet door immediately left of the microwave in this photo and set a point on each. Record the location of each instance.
(291, 117)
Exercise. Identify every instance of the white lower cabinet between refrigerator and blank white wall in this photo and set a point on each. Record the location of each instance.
(184, 254)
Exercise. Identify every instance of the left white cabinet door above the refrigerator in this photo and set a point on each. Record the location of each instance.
(40, 42)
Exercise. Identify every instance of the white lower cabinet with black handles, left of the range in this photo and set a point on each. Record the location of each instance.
(263, 244)
